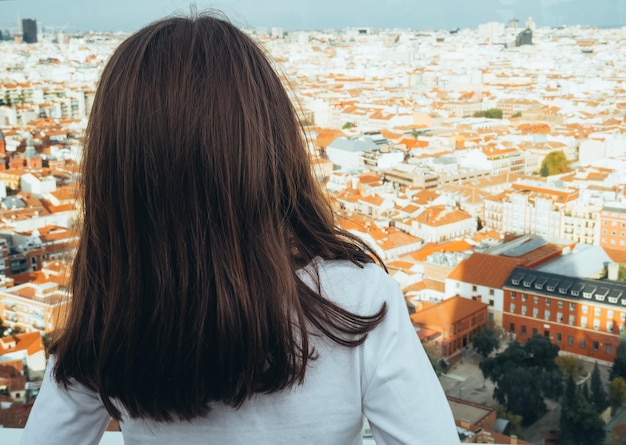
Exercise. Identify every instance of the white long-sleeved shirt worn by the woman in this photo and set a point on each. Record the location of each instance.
(388, 379)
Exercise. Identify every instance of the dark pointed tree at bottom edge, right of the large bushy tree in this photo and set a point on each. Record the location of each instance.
(579, 423)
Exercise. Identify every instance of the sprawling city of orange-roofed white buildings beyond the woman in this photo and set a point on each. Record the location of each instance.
(485, 165)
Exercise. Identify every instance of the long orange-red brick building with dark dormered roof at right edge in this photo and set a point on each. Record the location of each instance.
(581, 316)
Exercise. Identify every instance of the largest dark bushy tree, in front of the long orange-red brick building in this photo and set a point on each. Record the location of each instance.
(524, 376)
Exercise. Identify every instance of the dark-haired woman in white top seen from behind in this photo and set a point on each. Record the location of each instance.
(214, 300)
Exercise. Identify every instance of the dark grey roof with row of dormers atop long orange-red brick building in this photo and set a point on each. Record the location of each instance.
(609, 293)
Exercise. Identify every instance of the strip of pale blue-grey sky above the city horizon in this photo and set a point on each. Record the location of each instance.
(130, 15)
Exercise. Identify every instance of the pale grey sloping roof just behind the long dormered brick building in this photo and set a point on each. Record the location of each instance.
(585, 261)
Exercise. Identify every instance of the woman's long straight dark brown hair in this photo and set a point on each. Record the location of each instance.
(199, 207)
